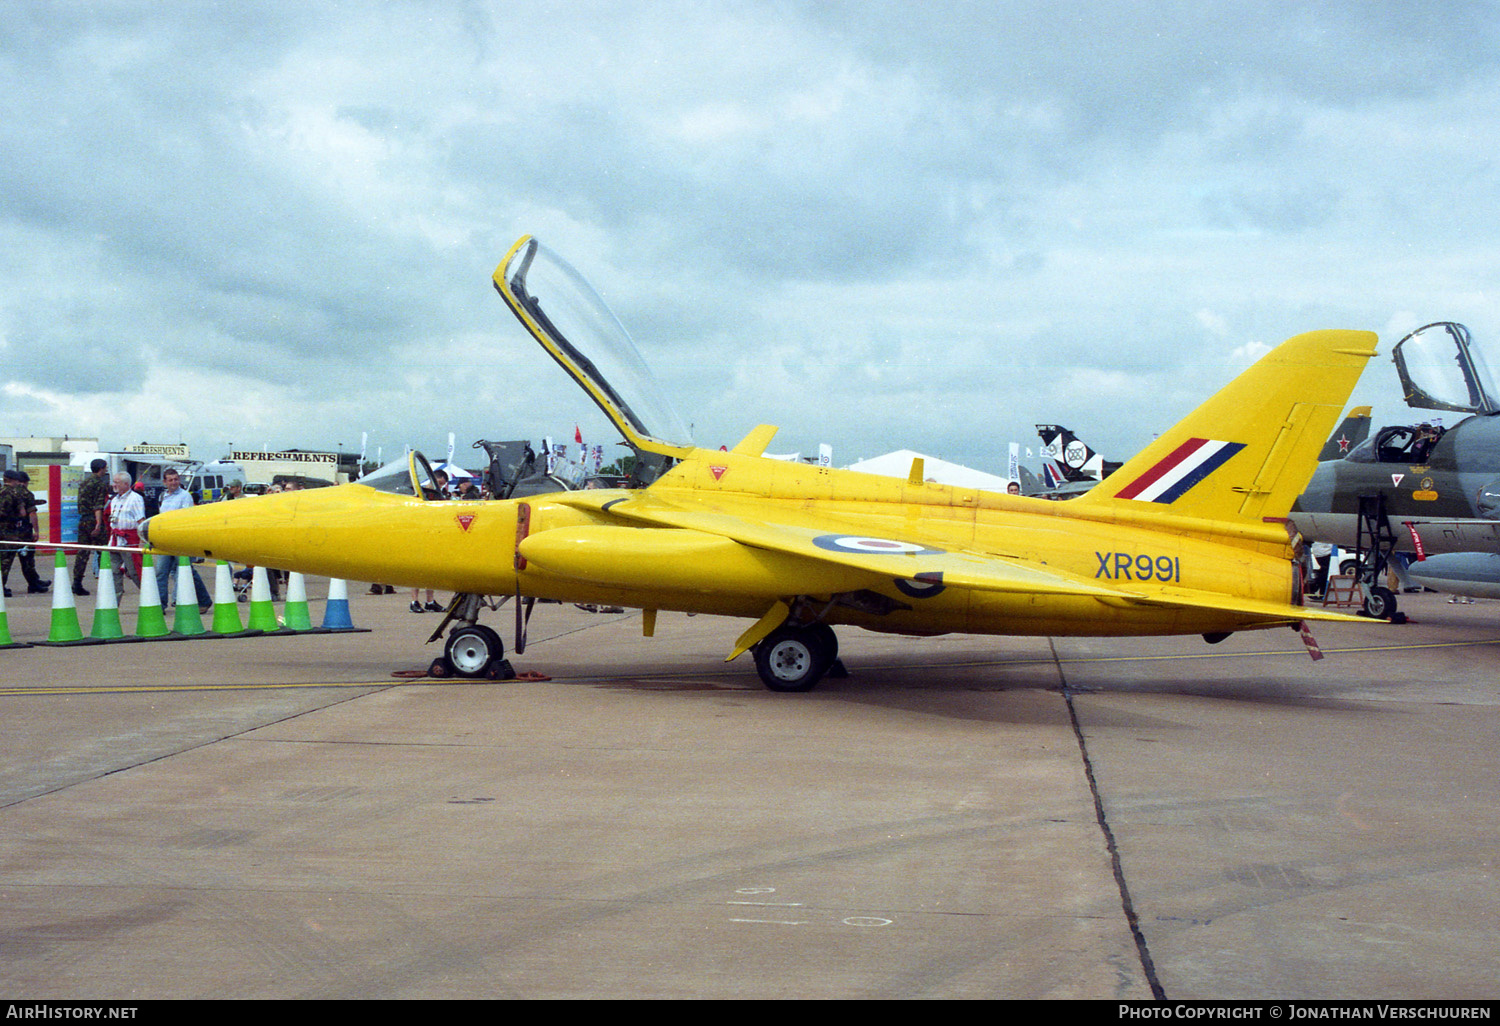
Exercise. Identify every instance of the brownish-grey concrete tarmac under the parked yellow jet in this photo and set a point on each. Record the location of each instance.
(958, 818)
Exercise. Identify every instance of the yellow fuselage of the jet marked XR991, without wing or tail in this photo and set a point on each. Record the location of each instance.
(571, 547)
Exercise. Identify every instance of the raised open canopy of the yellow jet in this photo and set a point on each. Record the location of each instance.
(592, 343)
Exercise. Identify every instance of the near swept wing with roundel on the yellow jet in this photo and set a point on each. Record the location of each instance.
(913, 562)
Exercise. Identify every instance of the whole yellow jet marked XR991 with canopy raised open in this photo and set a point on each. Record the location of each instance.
(1190, 538)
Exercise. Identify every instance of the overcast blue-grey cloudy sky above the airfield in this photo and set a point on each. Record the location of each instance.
(878, 226)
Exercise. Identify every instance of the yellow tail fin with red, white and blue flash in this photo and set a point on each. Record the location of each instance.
(1249, 452)
